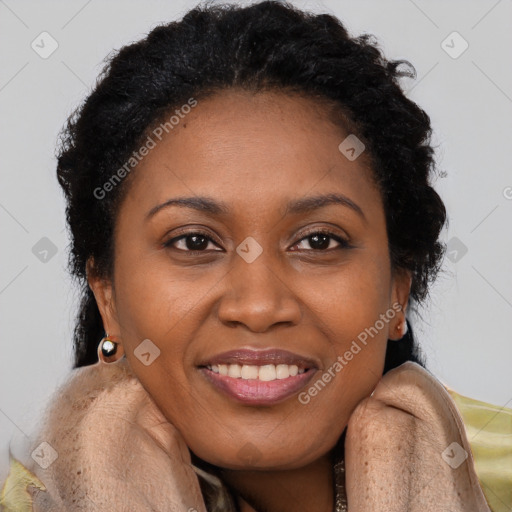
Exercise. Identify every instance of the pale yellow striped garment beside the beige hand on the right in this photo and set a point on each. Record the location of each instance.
(489, 432)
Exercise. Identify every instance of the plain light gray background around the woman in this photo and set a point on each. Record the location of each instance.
(465, 331)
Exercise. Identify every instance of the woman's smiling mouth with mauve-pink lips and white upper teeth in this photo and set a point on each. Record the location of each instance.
(258, 377)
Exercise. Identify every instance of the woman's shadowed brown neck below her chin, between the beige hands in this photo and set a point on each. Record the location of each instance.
(299, 490)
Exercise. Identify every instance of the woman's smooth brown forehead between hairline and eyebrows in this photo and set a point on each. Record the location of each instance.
(246, 148)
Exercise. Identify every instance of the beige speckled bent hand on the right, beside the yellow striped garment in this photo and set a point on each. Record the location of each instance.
(394, 444)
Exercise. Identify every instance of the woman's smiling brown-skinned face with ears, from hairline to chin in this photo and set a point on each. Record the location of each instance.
(258, 282)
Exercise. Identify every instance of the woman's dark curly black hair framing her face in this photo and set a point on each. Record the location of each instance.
(269, 45)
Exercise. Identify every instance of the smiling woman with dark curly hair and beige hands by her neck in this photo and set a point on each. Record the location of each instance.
(252, 217)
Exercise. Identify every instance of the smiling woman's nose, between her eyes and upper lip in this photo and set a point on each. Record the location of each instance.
(258, 297)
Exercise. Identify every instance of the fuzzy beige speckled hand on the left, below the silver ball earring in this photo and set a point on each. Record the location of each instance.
(116, 451)
